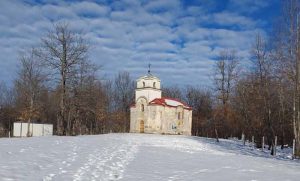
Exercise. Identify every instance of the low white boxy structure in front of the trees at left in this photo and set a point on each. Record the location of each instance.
(35, 129)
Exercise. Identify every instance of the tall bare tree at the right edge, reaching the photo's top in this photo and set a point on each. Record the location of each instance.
(284, 53)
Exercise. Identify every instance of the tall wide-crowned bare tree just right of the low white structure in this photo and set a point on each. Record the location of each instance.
(63, 51)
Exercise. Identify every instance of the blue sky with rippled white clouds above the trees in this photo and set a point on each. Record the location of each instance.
(181, 39)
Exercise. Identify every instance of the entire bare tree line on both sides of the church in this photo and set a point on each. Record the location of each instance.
(57, 83)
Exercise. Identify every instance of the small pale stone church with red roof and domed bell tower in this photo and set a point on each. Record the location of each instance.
(151, 113)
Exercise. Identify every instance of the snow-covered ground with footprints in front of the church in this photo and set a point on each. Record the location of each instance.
(139, 157)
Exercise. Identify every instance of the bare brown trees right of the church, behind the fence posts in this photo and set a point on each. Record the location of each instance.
(259, 97)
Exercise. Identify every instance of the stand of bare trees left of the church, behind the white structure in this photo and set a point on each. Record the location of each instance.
(57, 83)
